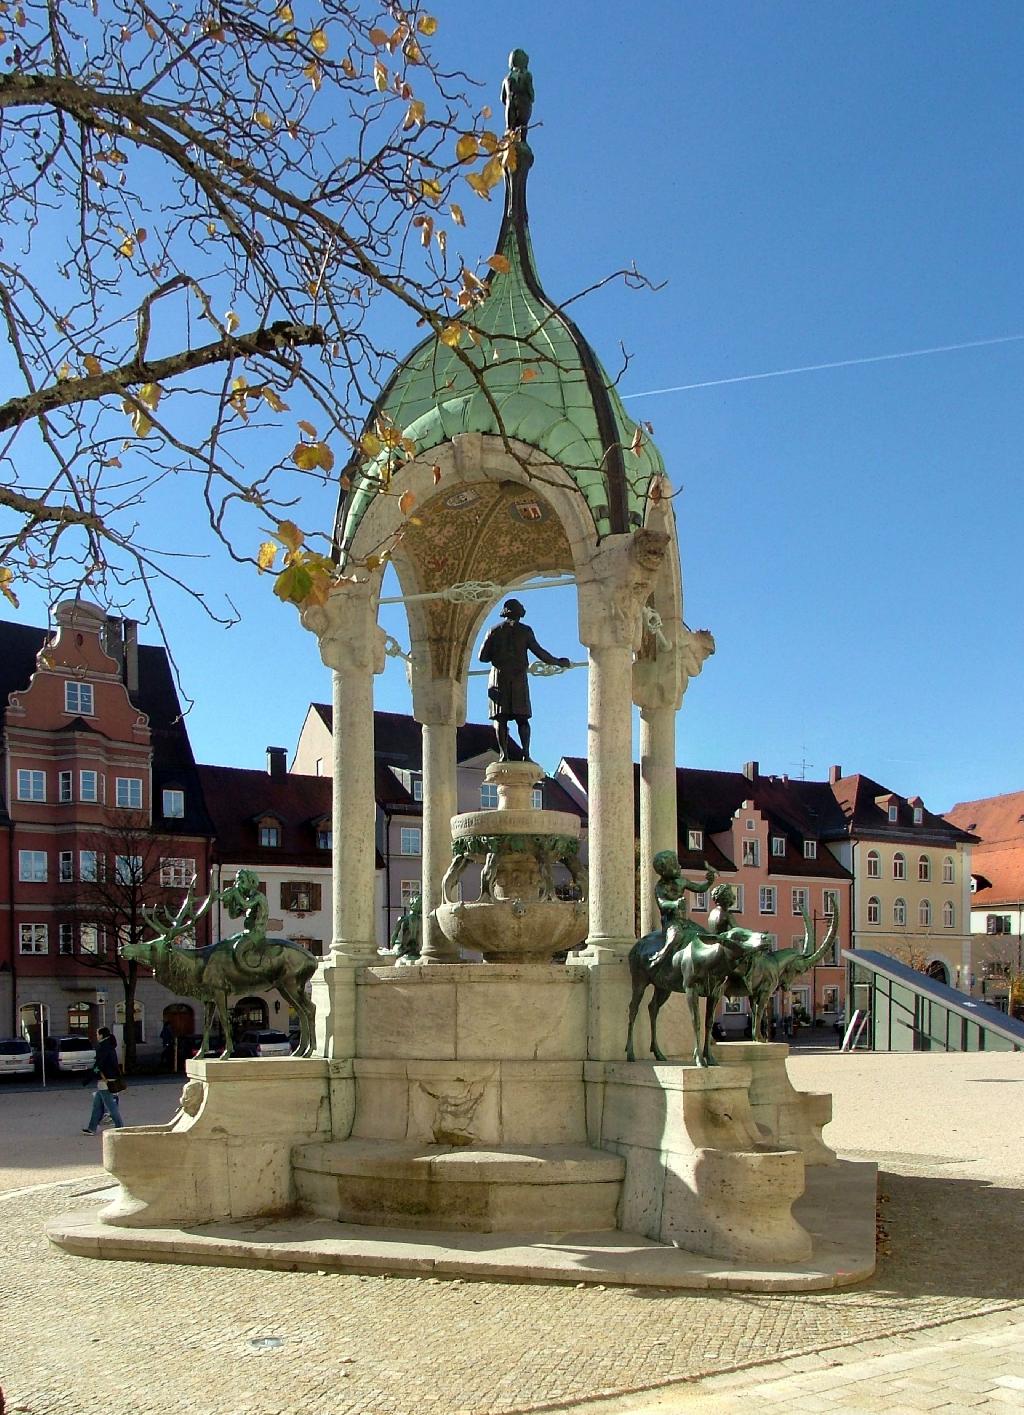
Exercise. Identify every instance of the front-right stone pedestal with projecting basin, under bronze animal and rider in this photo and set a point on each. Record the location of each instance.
(698, 1174)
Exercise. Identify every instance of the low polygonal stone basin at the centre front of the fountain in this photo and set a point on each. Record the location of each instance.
(480, 1189)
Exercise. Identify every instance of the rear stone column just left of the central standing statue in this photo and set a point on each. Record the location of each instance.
(439, 704)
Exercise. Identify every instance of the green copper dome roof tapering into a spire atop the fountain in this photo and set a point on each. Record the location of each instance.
(545, 383)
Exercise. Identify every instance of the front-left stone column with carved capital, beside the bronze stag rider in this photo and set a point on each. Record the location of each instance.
(353, 646)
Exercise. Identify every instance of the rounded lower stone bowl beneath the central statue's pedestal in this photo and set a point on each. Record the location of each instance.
(513, 932)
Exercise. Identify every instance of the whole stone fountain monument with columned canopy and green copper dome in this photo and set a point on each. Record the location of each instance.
(480, 1117)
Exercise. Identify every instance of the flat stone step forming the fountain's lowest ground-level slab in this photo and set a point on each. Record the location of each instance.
(838, 1211)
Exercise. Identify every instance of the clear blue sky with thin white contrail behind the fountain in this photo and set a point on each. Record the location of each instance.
(815, 183)
